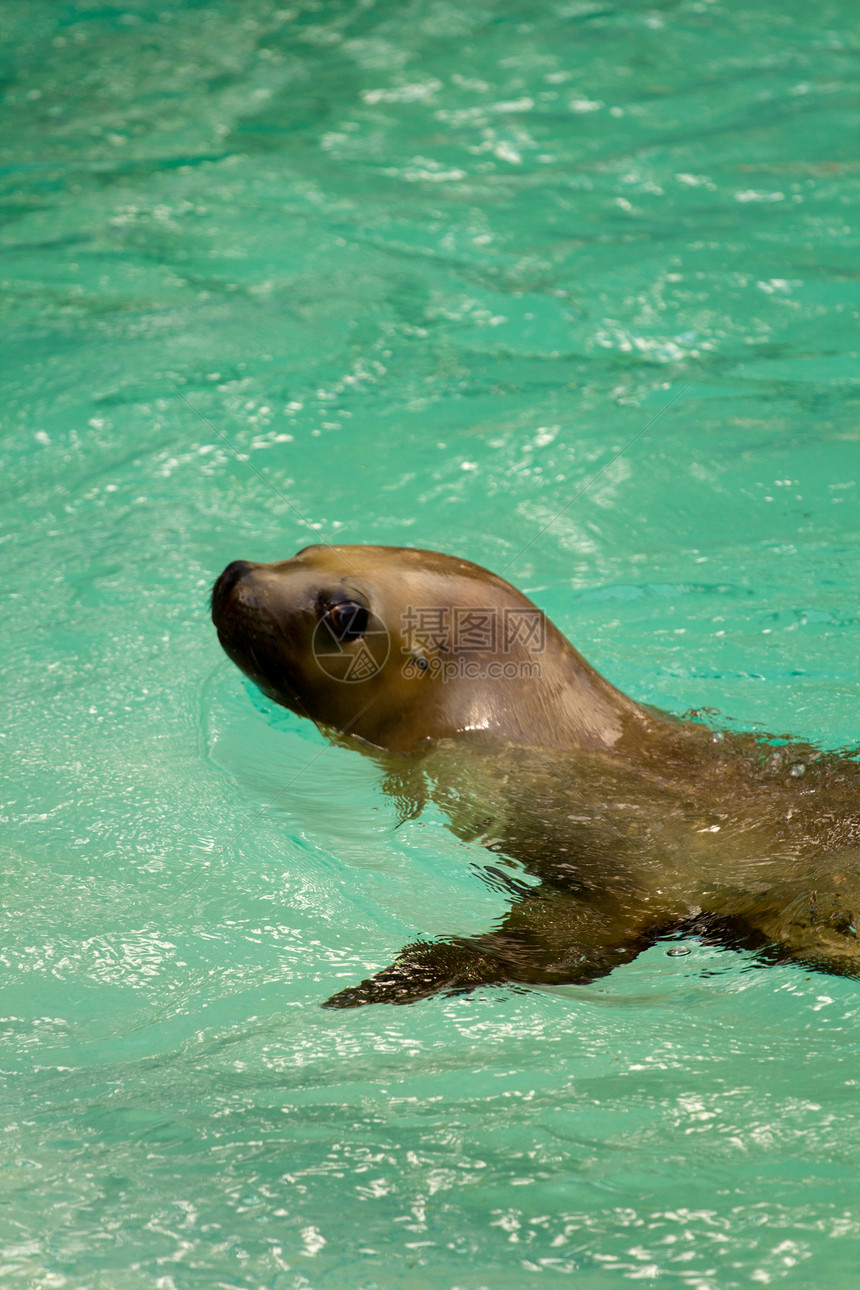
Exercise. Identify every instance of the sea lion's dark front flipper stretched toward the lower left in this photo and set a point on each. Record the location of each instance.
(550, 938)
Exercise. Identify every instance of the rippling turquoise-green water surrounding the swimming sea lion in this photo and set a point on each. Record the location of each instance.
(571, 288)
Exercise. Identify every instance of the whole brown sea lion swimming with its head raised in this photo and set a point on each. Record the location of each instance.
(636, 826)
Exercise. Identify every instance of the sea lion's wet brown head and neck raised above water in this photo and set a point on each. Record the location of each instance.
(396, 646)
